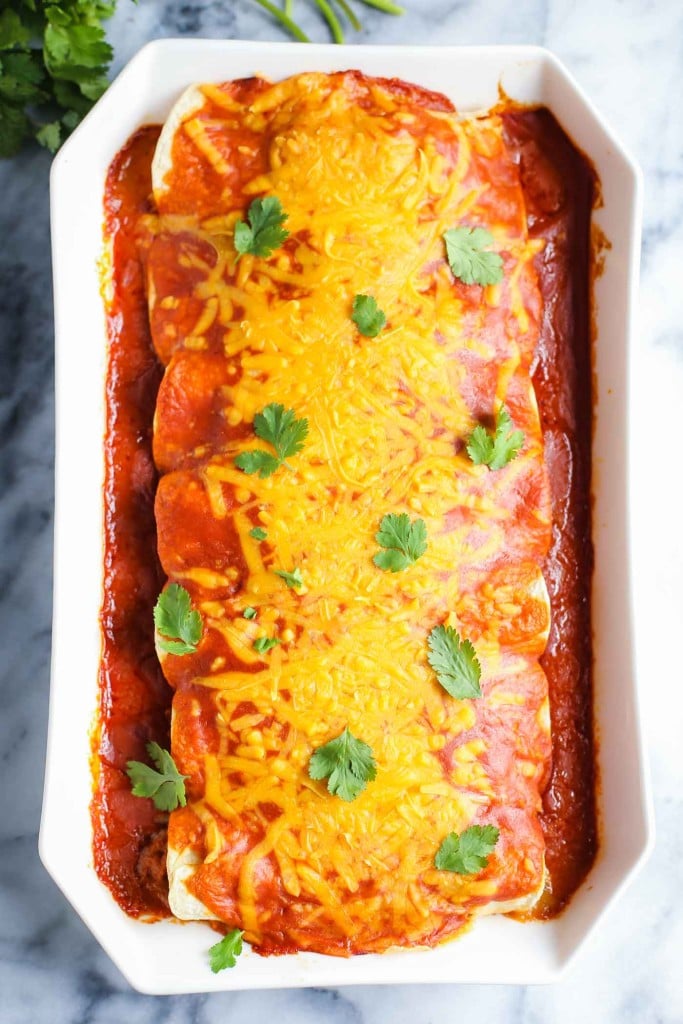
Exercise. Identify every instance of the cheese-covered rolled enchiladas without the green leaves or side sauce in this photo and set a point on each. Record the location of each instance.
(371, 174)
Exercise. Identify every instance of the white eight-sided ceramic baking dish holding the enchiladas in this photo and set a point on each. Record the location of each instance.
(168, 958)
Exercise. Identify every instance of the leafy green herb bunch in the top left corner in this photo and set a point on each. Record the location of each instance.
(54, 64)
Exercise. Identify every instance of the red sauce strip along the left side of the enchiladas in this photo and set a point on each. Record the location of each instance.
(136, 700)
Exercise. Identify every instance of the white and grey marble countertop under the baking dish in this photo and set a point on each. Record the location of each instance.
(628, 55)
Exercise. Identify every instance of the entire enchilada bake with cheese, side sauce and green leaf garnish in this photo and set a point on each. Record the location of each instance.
(331, 292)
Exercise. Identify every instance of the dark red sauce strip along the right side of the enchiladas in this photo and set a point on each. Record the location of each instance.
(560, 191)
